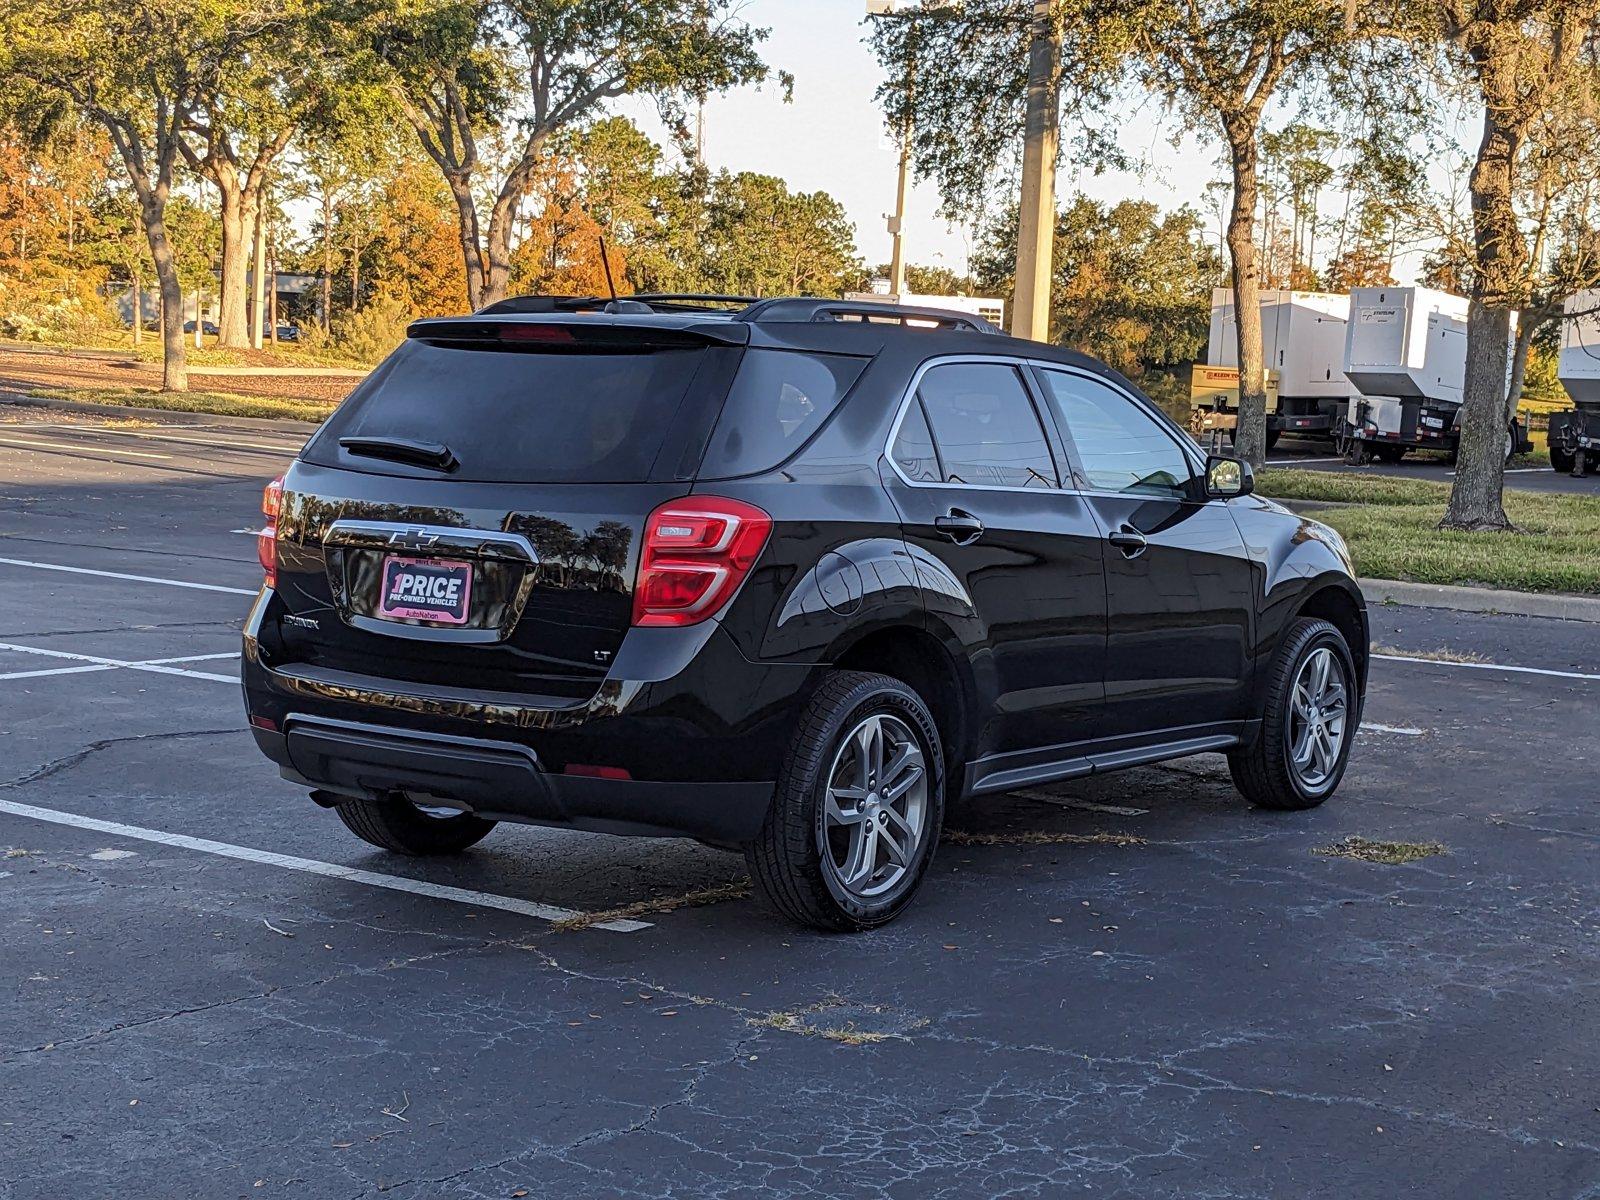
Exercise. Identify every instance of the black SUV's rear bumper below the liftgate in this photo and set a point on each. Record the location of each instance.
(684, 738)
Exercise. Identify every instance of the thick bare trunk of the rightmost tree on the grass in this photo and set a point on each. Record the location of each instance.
(1476, 497)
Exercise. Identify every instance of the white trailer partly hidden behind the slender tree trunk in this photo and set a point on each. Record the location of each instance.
(1302, 348)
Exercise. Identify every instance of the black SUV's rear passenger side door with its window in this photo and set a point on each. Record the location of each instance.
(978, 489)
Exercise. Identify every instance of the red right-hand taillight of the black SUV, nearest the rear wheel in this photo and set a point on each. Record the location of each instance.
(695, 556)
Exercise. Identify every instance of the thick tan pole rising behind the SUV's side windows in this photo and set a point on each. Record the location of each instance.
(1036, 231)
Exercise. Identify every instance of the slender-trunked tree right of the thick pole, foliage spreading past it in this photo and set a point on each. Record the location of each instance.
(1215, 65)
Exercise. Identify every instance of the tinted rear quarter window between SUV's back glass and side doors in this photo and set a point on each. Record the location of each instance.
(780, 399)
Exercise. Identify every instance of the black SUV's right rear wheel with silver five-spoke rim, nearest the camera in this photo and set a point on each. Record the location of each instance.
(836, 793)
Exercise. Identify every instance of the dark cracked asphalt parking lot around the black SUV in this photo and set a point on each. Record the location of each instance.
(1130, 986)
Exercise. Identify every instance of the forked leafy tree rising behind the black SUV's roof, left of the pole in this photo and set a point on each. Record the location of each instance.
(538, 68)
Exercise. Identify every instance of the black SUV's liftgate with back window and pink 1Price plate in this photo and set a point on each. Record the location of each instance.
(471, 516)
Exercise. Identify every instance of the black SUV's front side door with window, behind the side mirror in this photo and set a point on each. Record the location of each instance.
(1180, 586)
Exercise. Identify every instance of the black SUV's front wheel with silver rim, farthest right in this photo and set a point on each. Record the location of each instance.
(1308, 724)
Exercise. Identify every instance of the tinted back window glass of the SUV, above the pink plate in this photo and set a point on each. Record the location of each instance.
(527, 417)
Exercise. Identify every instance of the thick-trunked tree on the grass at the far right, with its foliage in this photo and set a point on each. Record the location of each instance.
(1519, 60)
